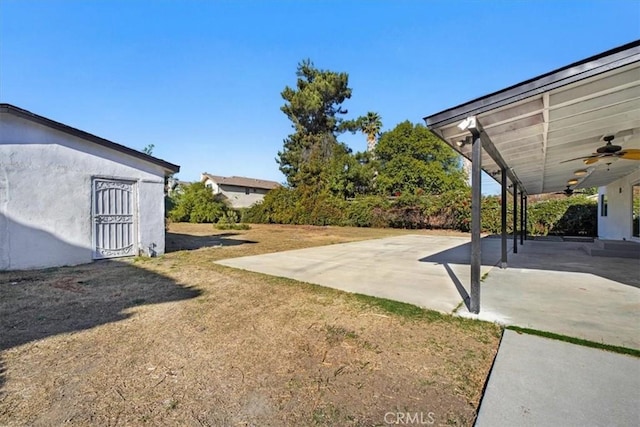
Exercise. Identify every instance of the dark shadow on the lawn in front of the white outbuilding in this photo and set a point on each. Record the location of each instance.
(37, 304)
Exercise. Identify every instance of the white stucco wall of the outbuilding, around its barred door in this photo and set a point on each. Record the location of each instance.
(45, 195)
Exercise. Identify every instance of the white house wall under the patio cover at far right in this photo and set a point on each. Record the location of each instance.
(617, 224)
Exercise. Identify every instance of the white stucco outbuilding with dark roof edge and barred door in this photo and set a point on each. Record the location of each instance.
(68, 197)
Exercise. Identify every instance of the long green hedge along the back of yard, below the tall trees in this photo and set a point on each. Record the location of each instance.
(567, 216)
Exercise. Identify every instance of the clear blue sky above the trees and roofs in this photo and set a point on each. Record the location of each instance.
(201, 80)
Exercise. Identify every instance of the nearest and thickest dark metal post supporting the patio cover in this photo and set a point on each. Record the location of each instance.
(476, 224)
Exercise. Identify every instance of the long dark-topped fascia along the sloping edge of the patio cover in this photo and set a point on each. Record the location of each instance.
(592, 66)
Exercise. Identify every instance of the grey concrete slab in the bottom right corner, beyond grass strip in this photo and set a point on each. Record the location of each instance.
(559, 384)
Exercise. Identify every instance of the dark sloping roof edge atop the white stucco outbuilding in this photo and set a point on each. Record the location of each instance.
(19, 112)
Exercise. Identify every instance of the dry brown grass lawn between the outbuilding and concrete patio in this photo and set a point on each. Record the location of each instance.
(179, 340)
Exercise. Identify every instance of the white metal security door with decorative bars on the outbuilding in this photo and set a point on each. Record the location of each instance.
(114, 218)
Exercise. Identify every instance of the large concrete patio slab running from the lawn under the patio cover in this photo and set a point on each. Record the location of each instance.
(551, 286)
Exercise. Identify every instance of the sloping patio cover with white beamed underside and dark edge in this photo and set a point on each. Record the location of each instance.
(536, 125)
